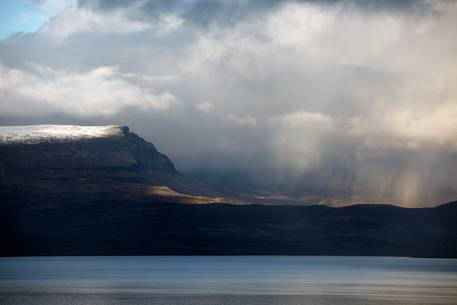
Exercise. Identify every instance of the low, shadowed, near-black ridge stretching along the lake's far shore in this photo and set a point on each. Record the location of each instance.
(48, 226)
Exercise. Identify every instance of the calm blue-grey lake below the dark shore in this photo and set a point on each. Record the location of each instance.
(227, 280)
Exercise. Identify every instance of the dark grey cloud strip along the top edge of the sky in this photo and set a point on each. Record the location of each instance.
(206, 12)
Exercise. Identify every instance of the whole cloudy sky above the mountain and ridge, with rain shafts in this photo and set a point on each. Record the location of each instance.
(336, 98)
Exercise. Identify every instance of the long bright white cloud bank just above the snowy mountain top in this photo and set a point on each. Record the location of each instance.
(101, 91)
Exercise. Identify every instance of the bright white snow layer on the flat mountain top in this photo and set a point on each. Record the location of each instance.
(33, 134)
